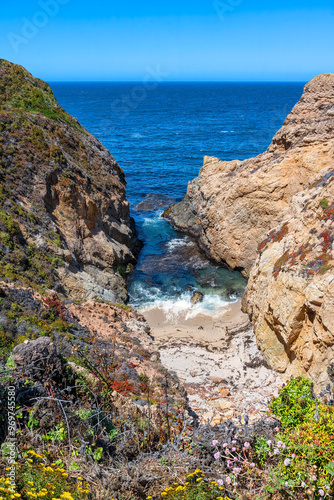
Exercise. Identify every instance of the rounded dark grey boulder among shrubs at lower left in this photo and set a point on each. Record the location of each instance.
(38, 357)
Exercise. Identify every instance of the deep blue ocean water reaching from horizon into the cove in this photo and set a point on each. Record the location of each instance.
(159, 136)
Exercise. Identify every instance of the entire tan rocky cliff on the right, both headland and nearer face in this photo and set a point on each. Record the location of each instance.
(272, 216)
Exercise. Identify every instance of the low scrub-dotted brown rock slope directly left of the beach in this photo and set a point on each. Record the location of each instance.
(113, 343)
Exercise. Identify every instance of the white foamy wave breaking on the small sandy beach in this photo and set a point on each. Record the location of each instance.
(173, 308)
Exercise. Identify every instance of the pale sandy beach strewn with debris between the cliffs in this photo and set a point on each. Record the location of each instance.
(218, 361)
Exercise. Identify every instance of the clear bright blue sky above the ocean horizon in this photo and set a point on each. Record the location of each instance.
(169, 40)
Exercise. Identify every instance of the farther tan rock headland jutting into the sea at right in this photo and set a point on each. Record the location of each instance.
(232, 205)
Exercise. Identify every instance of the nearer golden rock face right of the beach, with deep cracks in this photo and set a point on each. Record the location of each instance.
(290, 293)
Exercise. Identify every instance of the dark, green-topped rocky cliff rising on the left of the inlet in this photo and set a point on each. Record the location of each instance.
(64, 217)
